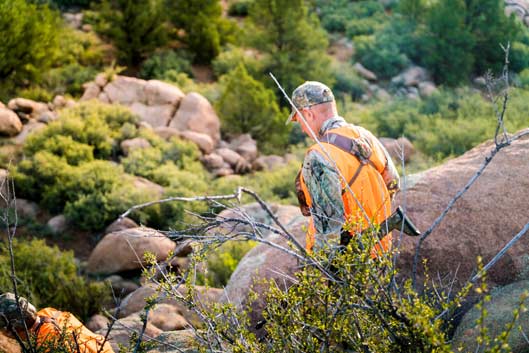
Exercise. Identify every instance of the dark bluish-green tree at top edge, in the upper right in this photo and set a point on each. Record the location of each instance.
(449, 42)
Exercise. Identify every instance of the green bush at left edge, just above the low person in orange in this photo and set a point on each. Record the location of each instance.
(49, 277)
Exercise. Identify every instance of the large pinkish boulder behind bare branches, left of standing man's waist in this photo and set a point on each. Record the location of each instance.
(258, 267)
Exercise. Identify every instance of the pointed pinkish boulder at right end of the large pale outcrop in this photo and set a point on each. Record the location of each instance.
(196, 114)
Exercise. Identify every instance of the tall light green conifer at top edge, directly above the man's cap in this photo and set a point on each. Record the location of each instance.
(293, 41)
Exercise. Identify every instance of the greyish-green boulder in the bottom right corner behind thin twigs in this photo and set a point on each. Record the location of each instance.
(500, 309)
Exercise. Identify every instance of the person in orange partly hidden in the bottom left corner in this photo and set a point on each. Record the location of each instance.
(49, 329)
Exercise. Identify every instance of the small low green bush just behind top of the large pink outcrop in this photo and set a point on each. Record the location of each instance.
(157, 66)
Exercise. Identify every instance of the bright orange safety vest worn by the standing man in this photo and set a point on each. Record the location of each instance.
(366, 182)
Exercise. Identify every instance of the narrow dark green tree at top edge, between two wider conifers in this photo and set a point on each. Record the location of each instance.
(201, 20)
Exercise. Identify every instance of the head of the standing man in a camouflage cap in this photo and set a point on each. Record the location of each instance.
(316, 102)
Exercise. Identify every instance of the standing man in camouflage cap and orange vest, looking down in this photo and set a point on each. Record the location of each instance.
(347, 180)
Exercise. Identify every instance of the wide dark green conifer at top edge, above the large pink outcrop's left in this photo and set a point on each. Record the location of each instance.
(137, 28)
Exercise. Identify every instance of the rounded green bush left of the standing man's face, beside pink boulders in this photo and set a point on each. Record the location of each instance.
(247, 106)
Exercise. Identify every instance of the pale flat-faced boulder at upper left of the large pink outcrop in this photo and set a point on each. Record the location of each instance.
(125, 90)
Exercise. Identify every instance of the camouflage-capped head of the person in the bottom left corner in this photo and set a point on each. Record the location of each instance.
(10, 317)
